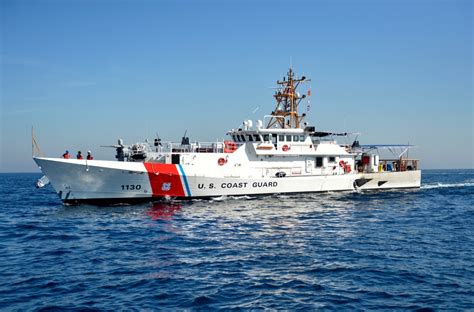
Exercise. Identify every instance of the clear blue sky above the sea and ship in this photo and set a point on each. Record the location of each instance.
(85, 73)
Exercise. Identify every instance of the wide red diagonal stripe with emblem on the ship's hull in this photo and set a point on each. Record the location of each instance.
(164, 180)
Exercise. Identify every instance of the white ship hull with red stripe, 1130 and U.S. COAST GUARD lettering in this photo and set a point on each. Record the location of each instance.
(97, 181)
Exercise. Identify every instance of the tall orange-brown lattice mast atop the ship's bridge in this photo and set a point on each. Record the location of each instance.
(286, 113)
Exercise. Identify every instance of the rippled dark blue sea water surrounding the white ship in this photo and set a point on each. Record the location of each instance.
(404, 250)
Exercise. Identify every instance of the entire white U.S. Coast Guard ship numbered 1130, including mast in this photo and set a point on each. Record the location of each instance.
(280, 154)
